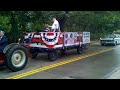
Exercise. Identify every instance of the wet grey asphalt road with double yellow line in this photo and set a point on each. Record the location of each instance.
(94, 63)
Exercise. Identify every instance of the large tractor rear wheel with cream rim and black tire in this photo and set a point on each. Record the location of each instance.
(16, 58)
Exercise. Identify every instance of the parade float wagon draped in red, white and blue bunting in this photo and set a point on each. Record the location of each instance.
(50, 42)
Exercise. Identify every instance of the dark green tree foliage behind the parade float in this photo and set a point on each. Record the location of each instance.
(99, 23)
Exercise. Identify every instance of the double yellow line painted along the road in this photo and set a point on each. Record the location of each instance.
(55, 65)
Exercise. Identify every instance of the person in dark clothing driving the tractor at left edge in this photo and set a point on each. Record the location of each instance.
(3, 41)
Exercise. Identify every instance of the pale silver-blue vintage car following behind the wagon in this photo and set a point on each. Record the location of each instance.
(113, 39)
